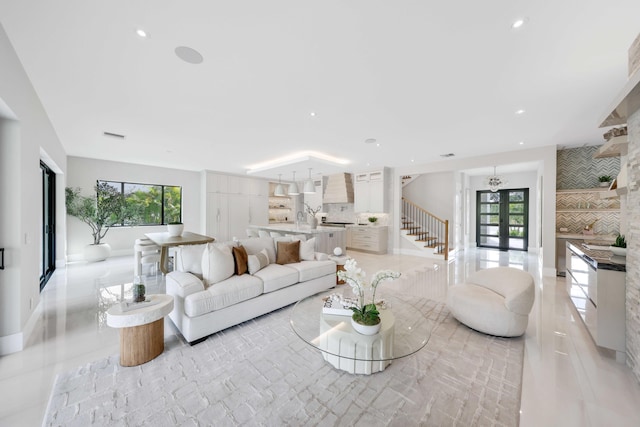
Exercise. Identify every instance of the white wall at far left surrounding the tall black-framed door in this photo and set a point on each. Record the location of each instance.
(25, 134)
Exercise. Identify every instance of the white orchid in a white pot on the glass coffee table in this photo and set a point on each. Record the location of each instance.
(364, 314)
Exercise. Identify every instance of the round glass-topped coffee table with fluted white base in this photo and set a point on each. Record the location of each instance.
(404, 331)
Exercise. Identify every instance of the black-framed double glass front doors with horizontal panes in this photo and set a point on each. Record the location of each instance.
(502, 220)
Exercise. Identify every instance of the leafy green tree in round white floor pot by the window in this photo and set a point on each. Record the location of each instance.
(99, 212)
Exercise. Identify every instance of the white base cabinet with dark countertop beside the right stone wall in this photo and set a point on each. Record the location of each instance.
(596, 288)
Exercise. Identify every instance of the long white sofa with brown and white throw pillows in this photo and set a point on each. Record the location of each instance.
(210, 295)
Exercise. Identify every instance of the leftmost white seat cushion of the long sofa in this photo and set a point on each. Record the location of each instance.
(224, 294)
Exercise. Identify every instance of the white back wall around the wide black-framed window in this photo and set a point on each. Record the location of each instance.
(84, 173)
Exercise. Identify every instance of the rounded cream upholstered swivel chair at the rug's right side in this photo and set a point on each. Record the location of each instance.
(496, 301)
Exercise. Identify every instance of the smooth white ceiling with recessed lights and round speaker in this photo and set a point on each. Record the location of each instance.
(422, 78)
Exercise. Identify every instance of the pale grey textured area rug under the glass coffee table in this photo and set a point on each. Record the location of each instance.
(260, 373)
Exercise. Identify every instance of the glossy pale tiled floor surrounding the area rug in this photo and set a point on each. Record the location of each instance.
(567, 381)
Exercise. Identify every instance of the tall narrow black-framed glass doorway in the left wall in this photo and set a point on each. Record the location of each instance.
(47, 221)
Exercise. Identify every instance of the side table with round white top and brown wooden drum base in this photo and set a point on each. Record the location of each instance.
(141, 329)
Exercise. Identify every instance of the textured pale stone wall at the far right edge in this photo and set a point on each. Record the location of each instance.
(633, 242)
